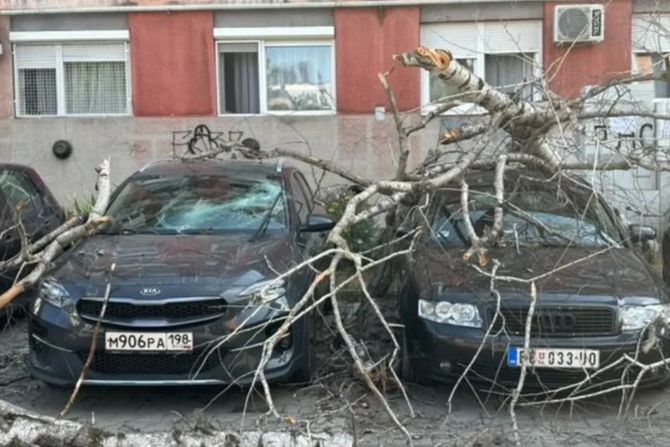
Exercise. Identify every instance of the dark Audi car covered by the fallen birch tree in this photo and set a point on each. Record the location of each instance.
(601, 301)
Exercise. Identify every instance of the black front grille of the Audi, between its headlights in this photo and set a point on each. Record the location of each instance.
(558, 321)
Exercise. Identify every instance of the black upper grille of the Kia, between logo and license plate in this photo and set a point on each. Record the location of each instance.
(165, 314)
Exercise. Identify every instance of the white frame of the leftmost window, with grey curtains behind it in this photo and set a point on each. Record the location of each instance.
(61, 101)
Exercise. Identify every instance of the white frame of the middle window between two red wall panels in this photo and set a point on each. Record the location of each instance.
(262, 74)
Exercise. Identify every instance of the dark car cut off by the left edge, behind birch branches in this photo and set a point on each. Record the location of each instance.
(21, 188)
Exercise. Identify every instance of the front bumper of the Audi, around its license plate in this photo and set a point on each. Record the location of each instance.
(445, 352)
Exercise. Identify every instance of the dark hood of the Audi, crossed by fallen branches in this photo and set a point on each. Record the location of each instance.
(617, 272)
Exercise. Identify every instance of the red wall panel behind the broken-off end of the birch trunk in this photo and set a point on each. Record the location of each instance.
(366, 40)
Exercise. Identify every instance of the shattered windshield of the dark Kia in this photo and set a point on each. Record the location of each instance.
(197, 204)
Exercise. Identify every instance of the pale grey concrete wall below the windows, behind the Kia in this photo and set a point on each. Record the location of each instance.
(358, 142)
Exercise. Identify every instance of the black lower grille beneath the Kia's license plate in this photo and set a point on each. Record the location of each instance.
(179, 364)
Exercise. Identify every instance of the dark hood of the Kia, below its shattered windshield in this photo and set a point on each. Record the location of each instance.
(174, 263)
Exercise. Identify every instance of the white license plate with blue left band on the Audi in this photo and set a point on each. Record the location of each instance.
(555, 358)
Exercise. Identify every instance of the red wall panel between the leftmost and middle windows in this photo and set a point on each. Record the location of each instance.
(173, 63)
